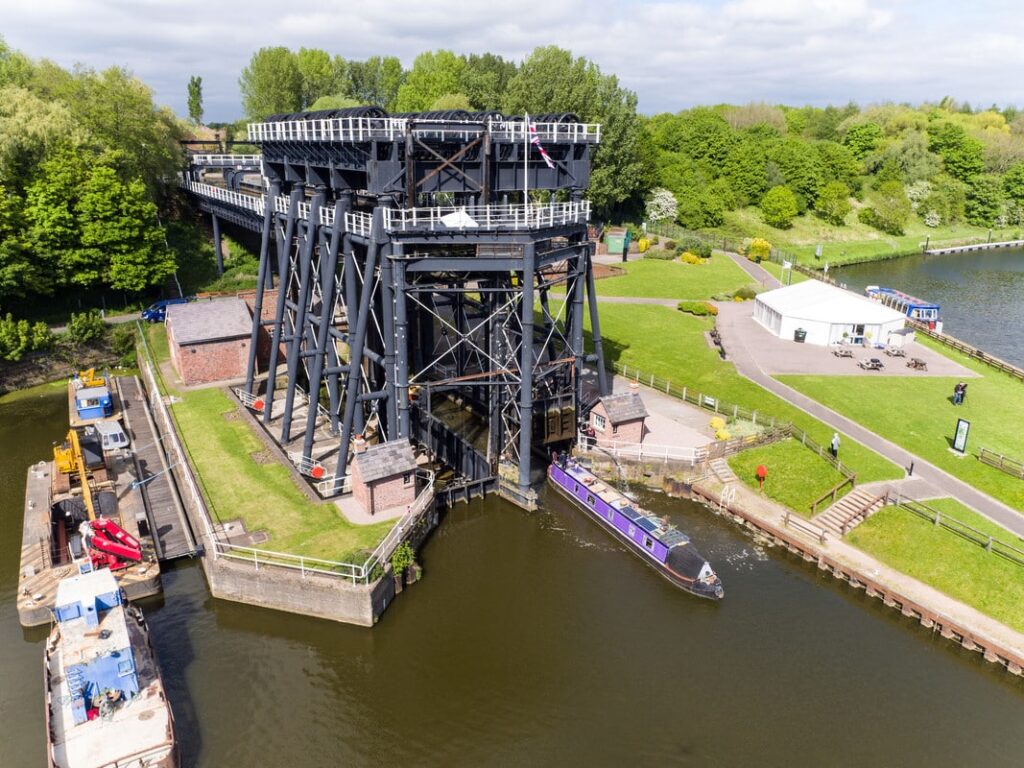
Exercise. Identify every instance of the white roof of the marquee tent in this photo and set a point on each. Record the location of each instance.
(815, 301)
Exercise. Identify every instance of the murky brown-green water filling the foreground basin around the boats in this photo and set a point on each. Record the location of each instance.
(535, 641)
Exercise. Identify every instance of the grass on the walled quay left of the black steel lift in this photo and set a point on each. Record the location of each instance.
(264, 496)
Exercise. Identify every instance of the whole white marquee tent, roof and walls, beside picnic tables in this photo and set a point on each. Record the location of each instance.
(827, 314)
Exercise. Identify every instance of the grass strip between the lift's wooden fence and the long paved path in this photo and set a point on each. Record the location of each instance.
(671, 345)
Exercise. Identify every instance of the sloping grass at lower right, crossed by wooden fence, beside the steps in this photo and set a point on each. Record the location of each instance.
(945, 561)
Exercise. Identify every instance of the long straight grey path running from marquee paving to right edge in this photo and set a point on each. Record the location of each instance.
(940, 480)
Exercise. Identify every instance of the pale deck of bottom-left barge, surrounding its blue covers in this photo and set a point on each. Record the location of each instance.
(141, 730)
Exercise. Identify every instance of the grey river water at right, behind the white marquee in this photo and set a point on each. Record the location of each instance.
(980, 293)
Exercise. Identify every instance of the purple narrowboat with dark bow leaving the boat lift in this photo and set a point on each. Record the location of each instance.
(669, 551)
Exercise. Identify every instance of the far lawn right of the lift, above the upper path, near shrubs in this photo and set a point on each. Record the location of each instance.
(674, 280)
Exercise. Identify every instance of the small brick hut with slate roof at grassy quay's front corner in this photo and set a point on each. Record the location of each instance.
(385, 477)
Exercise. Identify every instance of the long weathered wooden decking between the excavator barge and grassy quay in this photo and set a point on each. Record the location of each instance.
(172, 533)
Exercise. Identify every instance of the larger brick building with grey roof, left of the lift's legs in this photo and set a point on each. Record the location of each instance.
(209, 340)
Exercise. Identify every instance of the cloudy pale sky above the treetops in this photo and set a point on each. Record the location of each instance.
(673, 55)
